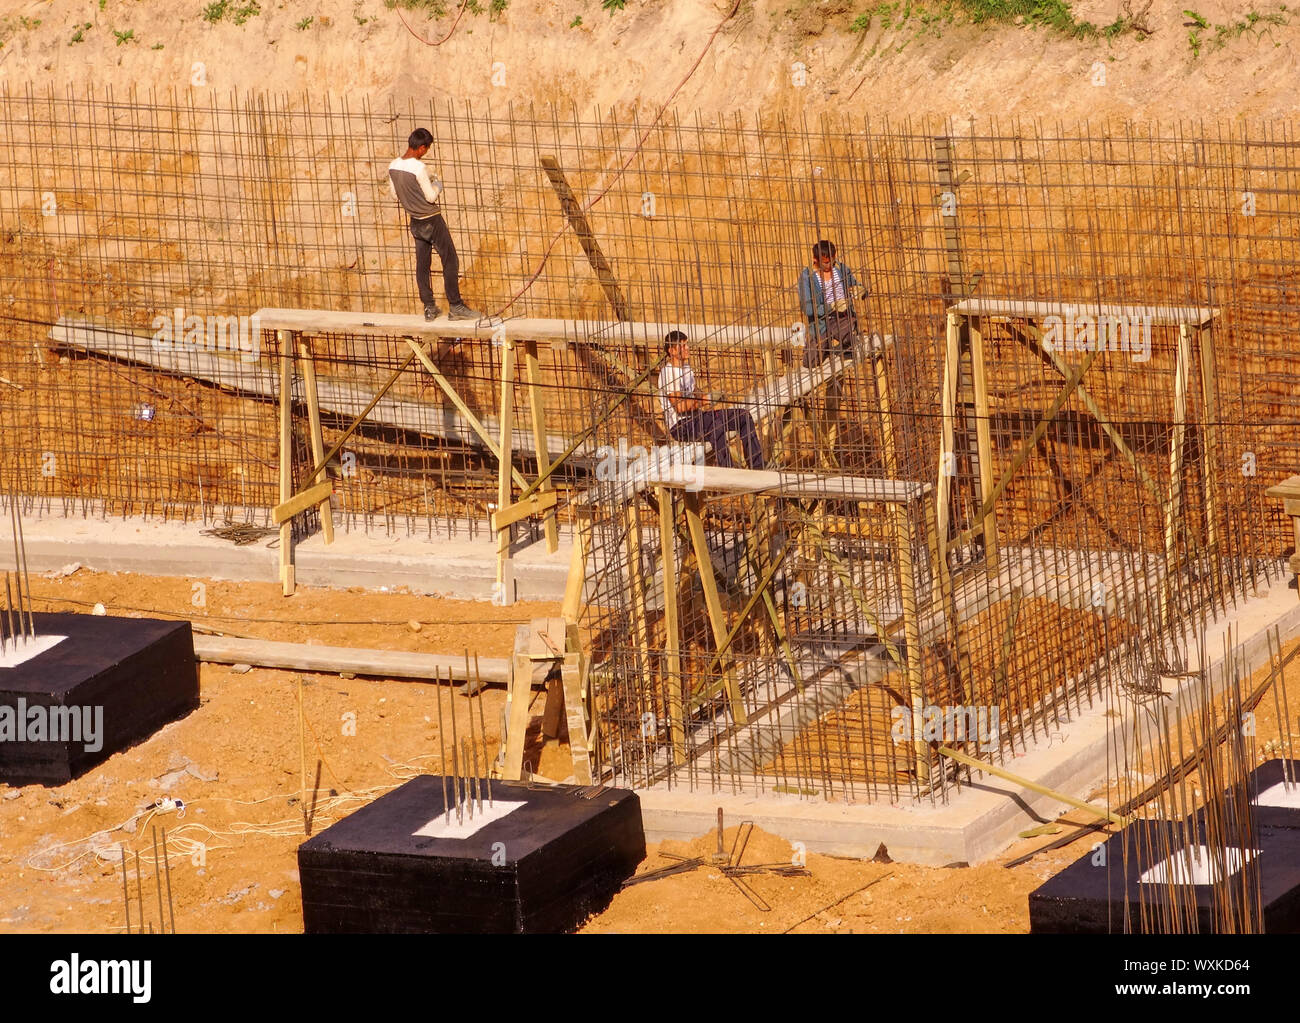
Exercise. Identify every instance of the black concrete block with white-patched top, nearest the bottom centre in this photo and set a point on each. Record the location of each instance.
(544, 868)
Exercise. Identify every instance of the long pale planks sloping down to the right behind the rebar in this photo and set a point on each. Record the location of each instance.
(259, 379)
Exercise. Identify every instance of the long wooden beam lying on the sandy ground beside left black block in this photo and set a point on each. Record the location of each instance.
(335, 660)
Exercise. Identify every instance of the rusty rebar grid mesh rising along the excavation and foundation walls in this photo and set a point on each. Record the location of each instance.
(120, 211)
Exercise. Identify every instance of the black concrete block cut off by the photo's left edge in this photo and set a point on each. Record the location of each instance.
(122, 679)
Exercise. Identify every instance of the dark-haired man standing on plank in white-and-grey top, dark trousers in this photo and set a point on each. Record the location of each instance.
(410, 184)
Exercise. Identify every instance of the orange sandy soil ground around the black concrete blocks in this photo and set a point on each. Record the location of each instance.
(236, 765)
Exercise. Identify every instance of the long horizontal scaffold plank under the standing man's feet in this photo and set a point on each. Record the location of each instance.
(574, 332)
